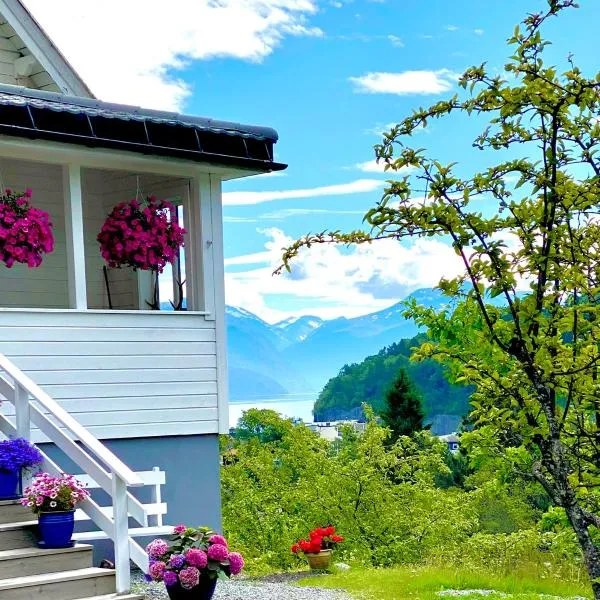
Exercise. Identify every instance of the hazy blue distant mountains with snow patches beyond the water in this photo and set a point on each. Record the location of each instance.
(302, 354)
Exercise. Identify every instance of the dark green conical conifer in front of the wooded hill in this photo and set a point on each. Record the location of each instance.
(402, 412)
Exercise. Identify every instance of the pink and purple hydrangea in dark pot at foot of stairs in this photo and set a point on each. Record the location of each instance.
(192, 563)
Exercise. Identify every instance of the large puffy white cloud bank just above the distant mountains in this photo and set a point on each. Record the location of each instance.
(332, 281)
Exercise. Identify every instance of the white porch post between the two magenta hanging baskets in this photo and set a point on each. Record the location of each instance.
(75, 236)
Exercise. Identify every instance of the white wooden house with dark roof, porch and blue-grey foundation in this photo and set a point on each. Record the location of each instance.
(136, 388)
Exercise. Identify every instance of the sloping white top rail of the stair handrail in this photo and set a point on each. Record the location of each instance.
(66, 420)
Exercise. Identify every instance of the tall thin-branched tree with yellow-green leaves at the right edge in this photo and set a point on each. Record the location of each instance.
(536, 363)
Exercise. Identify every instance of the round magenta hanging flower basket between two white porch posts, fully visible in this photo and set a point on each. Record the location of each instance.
(141, 235)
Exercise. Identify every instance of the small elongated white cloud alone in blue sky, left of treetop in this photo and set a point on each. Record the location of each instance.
(405, 82)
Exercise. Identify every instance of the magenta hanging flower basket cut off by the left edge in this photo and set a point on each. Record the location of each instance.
(25, 232)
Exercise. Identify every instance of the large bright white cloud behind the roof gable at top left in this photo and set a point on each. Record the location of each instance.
(128, 51)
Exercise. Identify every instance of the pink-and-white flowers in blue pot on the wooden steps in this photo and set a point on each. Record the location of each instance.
(54, 500)
